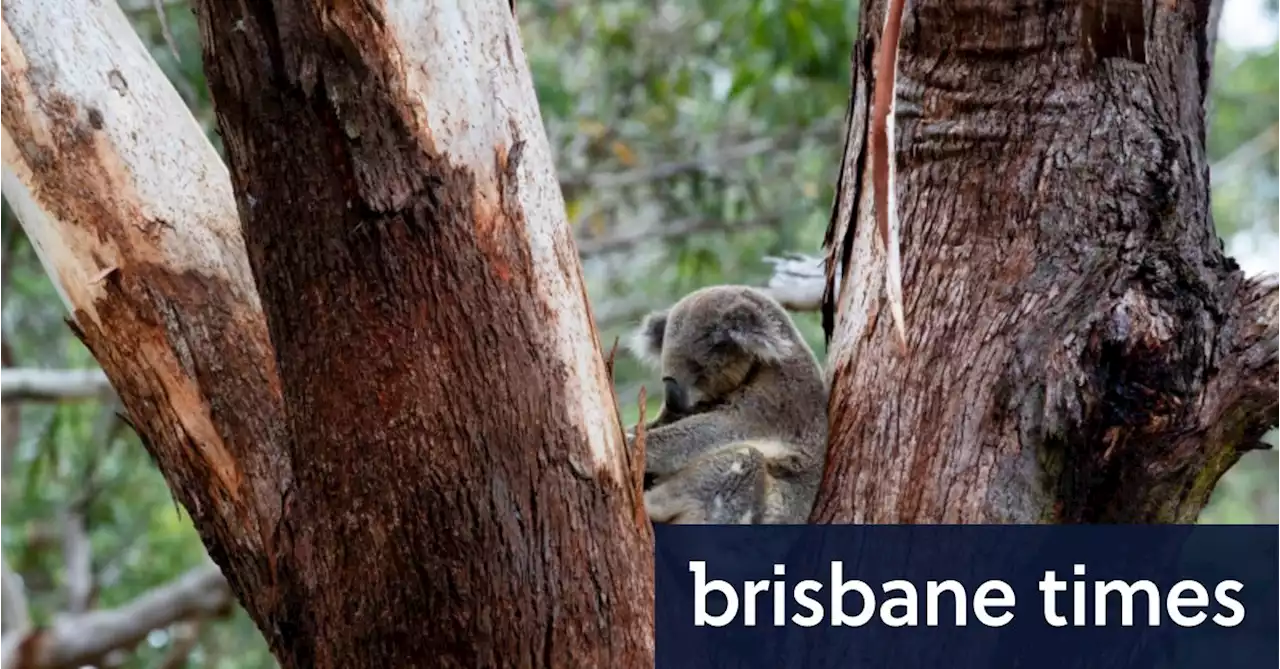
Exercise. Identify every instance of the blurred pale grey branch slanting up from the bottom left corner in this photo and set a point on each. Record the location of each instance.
(76, 640)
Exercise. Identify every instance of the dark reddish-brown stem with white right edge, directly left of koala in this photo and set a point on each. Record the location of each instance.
(458, 456)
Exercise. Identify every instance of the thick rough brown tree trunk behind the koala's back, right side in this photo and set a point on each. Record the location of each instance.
(1081, 349)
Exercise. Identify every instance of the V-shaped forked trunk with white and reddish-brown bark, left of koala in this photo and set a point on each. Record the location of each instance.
(436, 475)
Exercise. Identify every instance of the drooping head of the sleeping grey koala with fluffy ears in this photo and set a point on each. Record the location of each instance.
(711, 341)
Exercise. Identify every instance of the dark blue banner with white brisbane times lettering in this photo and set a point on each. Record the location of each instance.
(968, 597)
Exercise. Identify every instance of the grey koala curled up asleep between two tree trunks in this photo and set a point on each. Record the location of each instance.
(742, 438)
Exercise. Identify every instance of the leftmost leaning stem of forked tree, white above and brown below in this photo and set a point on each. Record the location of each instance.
(134, 218)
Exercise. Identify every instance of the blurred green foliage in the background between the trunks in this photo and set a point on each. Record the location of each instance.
(694, 140)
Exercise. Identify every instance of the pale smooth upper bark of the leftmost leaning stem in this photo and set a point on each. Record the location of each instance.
(154, 167)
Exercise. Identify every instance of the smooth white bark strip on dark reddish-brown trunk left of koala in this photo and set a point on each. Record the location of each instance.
(472, 81)
